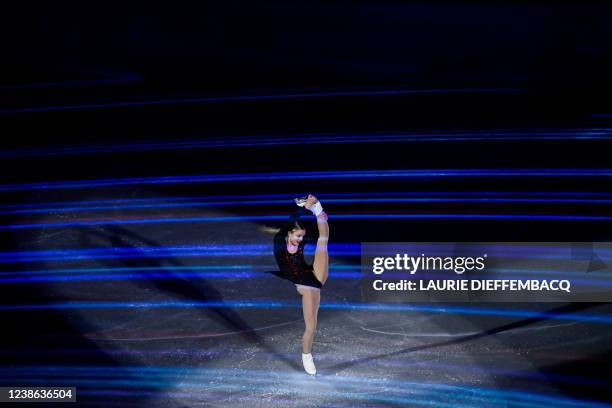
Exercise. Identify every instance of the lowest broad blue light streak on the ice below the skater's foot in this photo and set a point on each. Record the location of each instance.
(140, 380)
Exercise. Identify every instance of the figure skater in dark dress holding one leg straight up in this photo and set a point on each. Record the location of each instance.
(308, 279)
